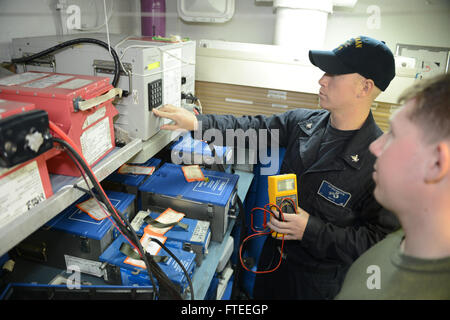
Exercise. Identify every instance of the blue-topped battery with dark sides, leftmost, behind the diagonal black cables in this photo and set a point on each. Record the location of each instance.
(74, 238)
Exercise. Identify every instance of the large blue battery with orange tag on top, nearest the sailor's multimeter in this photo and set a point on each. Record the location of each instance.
(209, 200)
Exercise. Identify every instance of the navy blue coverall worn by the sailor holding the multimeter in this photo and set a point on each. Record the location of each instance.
(336, 190)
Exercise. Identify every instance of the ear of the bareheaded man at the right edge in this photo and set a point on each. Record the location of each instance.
(439, 165)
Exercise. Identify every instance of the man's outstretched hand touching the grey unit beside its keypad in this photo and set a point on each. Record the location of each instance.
(183, 118)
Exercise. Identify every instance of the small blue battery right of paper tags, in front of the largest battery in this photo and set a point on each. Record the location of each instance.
(195, 235)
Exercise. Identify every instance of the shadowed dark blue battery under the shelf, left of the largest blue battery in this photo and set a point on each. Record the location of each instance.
(128, 182)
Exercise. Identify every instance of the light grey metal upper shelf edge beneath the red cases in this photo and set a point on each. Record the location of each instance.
(64, 194)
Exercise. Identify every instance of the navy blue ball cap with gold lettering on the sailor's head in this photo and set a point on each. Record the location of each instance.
(369, 57)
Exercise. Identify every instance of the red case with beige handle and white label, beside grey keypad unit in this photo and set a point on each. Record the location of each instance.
(80, 105)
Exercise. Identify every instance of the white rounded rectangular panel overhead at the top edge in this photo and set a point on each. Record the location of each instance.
(215, 11)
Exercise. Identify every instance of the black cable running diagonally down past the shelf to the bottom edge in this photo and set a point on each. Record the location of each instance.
(123, 224)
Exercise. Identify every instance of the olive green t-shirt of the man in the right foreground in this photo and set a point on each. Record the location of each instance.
(384, 272)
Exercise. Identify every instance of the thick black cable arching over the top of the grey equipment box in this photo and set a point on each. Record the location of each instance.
(71, 43)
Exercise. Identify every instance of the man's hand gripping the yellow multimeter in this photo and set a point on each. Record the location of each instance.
(293, 226)
